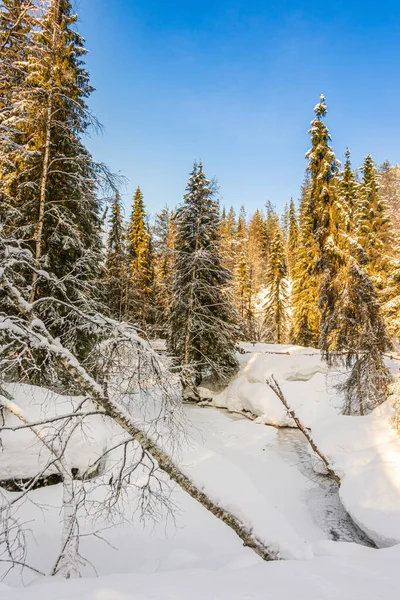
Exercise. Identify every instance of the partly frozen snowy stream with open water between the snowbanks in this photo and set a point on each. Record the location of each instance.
(278, 465)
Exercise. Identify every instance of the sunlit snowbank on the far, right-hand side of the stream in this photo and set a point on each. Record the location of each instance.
(364, 451)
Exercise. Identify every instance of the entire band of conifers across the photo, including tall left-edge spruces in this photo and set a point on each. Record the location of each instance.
(325, 274)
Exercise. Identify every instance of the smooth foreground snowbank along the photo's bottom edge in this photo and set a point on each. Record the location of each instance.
(367, 577)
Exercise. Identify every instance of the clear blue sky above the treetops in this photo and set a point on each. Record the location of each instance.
(234, 82)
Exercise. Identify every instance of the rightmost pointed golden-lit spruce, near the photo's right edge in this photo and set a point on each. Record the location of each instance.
(374, 230)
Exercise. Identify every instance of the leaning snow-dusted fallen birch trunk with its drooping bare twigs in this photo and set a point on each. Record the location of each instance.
(125, 369)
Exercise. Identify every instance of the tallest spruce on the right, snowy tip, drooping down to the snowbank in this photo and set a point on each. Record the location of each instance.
(353, 332)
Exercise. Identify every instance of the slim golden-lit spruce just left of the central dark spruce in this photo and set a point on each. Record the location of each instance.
(141, 263)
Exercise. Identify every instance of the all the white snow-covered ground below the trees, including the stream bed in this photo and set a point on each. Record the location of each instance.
(262, 474)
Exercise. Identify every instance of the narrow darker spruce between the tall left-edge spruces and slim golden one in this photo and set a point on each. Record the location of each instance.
(116, 264)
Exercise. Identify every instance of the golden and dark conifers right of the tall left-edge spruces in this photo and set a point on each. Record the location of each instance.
(325, 275)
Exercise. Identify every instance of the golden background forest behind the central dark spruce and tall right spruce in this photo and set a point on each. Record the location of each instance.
(274, 288)
